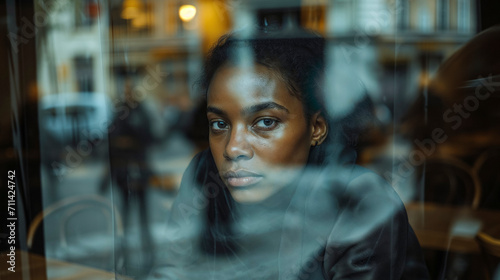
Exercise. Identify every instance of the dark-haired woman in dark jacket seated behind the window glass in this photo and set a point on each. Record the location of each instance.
(277, 194)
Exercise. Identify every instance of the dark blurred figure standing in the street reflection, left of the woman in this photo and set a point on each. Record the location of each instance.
(130, 138)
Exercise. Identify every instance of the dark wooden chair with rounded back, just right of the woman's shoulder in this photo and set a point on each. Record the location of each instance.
(449, 182)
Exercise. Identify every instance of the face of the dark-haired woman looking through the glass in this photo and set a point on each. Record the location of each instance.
(259, 136)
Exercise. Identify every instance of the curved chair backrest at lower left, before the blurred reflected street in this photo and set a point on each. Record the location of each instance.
(81, 229)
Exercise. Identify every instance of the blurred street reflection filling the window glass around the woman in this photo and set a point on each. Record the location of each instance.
(121, 113)
